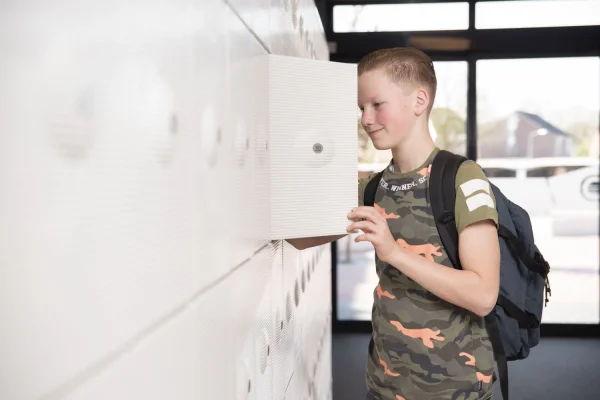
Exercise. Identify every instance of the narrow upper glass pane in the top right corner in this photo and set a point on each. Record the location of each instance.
(536, 14)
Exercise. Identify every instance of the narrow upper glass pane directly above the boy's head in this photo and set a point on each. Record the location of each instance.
(401, 17)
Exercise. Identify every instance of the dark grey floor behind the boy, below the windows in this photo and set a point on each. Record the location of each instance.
(557, 369)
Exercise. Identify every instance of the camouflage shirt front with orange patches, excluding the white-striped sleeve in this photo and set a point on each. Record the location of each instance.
(422, 347)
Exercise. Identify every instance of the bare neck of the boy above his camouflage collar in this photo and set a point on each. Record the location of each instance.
(413, 152)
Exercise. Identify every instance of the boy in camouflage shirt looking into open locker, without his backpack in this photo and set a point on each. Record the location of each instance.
(429, 340)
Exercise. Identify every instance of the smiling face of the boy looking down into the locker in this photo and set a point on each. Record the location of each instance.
(388, 112)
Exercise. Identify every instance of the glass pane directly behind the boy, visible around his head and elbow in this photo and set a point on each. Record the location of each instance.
(356, 276)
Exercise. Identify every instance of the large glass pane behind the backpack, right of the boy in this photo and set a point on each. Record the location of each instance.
(538, 142)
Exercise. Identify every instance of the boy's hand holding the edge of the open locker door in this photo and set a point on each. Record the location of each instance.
(376, 231)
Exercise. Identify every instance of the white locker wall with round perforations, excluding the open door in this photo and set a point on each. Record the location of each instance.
(134, 258)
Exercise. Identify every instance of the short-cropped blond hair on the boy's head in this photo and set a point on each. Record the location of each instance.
(405, 65)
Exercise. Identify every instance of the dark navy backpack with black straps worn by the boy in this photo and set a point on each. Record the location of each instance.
(514, 323)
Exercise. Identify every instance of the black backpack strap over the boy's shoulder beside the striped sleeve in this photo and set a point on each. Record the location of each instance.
(442, 194)
